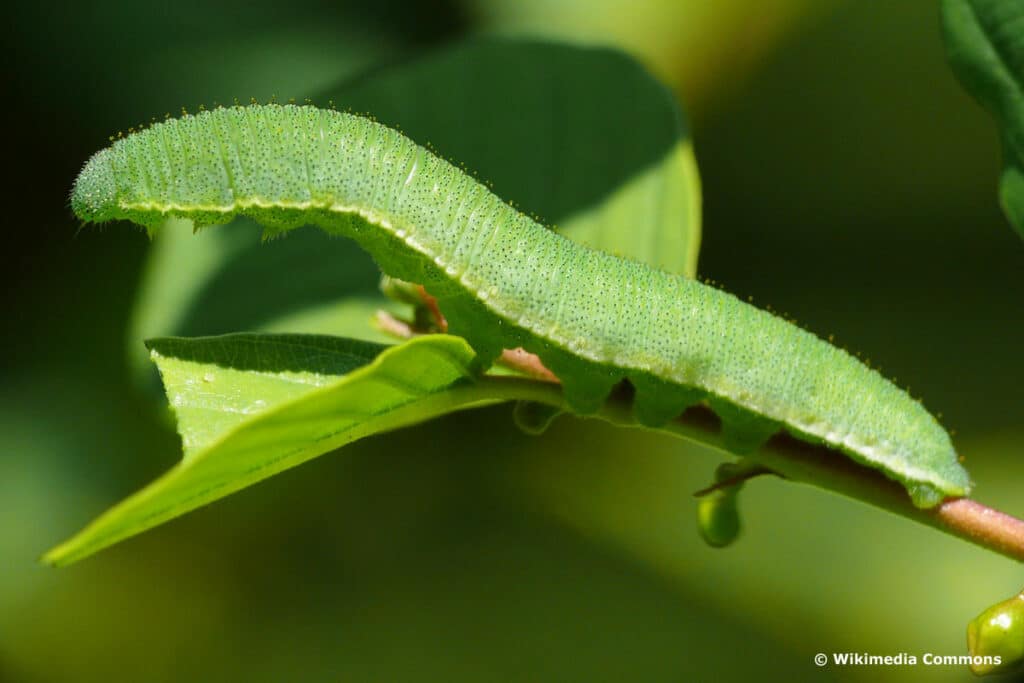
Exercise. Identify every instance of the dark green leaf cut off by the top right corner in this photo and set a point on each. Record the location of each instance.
(986, 45)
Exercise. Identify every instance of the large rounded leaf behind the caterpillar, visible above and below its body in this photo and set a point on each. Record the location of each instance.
(585, 139)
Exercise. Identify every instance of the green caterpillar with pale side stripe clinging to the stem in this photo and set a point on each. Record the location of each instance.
(505, 282)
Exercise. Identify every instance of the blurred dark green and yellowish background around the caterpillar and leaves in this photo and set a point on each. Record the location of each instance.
(848, 182)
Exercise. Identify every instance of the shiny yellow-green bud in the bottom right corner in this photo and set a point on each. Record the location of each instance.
(996, 637)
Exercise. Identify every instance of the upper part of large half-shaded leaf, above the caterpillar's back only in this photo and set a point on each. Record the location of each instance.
(583, 138)
